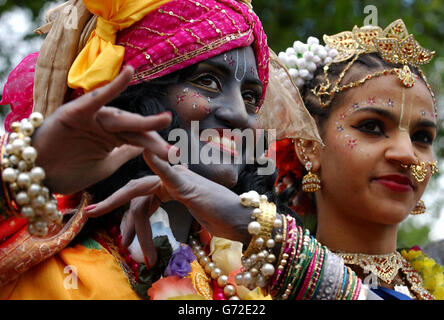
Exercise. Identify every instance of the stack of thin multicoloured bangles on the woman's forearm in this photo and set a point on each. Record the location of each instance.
(306, 270)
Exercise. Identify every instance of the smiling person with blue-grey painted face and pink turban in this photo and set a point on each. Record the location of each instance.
(185, 61)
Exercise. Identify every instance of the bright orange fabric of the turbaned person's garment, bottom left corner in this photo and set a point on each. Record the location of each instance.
(99, 277)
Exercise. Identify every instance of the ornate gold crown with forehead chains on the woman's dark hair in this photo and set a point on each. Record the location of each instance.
(394, 44)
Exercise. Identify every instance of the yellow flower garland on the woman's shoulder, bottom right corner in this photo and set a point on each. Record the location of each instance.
(431, 272)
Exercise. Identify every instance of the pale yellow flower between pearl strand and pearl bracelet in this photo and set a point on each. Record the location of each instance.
(226, 254)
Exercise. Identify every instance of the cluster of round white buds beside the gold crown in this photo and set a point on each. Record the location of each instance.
(302, 59)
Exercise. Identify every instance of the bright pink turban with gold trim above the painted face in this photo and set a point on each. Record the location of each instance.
(183, 32)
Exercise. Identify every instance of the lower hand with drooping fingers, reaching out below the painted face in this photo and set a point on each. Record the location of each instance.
(214, 206)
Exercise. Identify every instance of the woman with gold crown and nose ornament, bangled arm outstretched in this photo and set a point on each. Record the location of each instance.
(376, 116)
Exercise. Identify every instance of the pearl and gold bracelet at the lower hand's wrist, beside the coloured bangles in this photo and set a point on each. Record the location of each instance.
(258, 259)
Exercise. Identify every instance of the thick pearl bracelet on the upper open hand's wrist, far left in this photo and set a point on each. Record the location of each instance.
(25, 180)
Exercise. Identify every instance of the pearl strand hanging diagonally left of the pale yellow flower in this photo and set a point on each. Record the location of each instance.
(213, 271)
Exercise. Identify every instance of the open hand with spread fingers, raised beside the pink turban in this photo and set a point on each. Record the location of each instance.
(84, 142)
